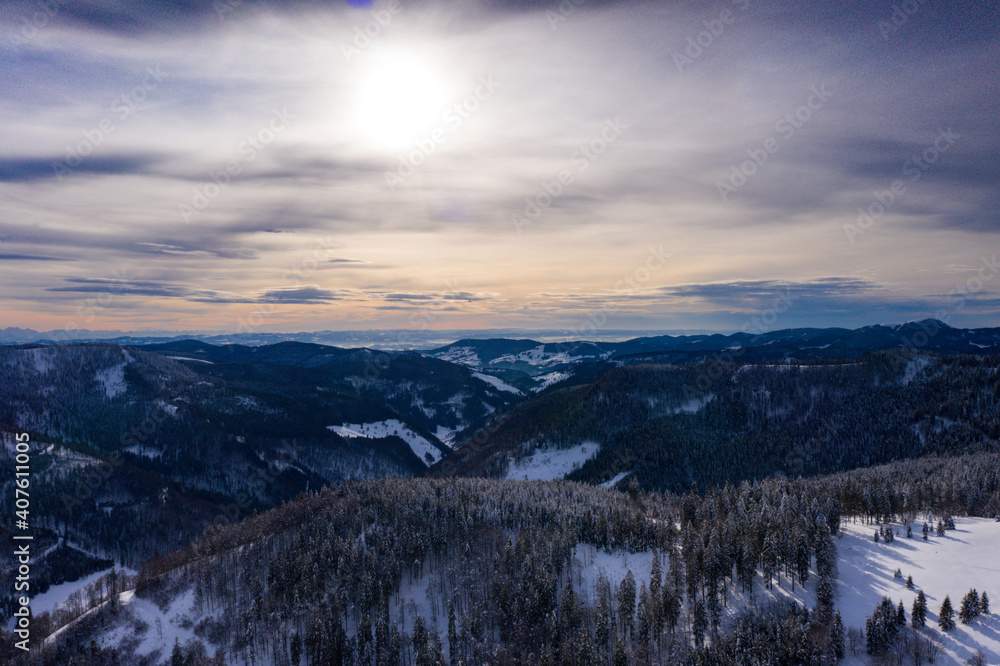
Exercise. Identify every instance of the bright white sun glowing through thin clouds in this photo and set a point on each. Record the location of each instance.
(402, 97)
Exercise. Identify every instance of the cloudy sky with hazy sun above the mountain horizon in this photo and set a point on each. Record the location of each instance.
(289, 166)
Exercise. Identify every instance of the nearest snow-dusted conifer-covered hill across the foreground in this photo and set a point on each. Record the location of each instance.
(331, 577)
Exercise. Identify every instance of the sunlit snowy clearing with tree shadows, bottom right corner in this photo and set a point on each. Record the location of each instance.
(962, 559)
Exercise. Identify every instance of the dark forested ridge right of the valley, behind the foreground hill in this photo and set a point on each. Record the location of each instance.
(670, 426)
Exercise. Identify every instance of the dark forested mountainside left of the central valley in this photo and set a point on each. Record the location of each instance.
(138, 451)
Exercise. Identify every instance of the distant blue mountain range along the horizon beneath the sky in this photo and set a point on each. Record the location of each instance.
(531, 351)
